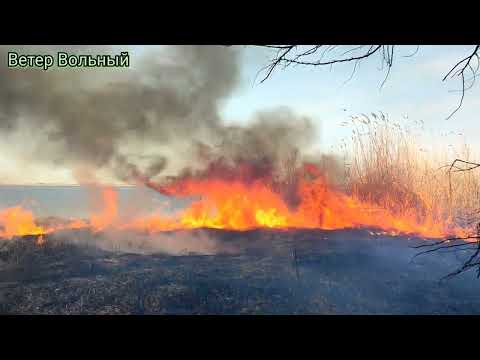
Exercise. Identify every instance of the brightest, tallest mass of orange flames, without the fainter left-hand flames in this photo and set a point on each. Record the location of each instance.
(239, 206)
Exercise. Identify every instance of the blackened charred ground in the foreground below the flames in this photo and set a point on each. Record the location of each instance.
(270, 272)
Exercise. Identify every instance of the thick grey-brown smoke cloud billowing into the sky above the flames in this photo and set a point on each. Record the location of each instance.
(135, 122)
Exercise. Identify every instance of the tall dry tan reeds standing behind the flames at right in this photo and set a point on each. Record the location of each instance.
(387, 166)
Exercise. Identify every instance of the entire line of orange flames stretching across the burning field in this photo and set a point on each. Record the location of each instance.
(243, 204)
